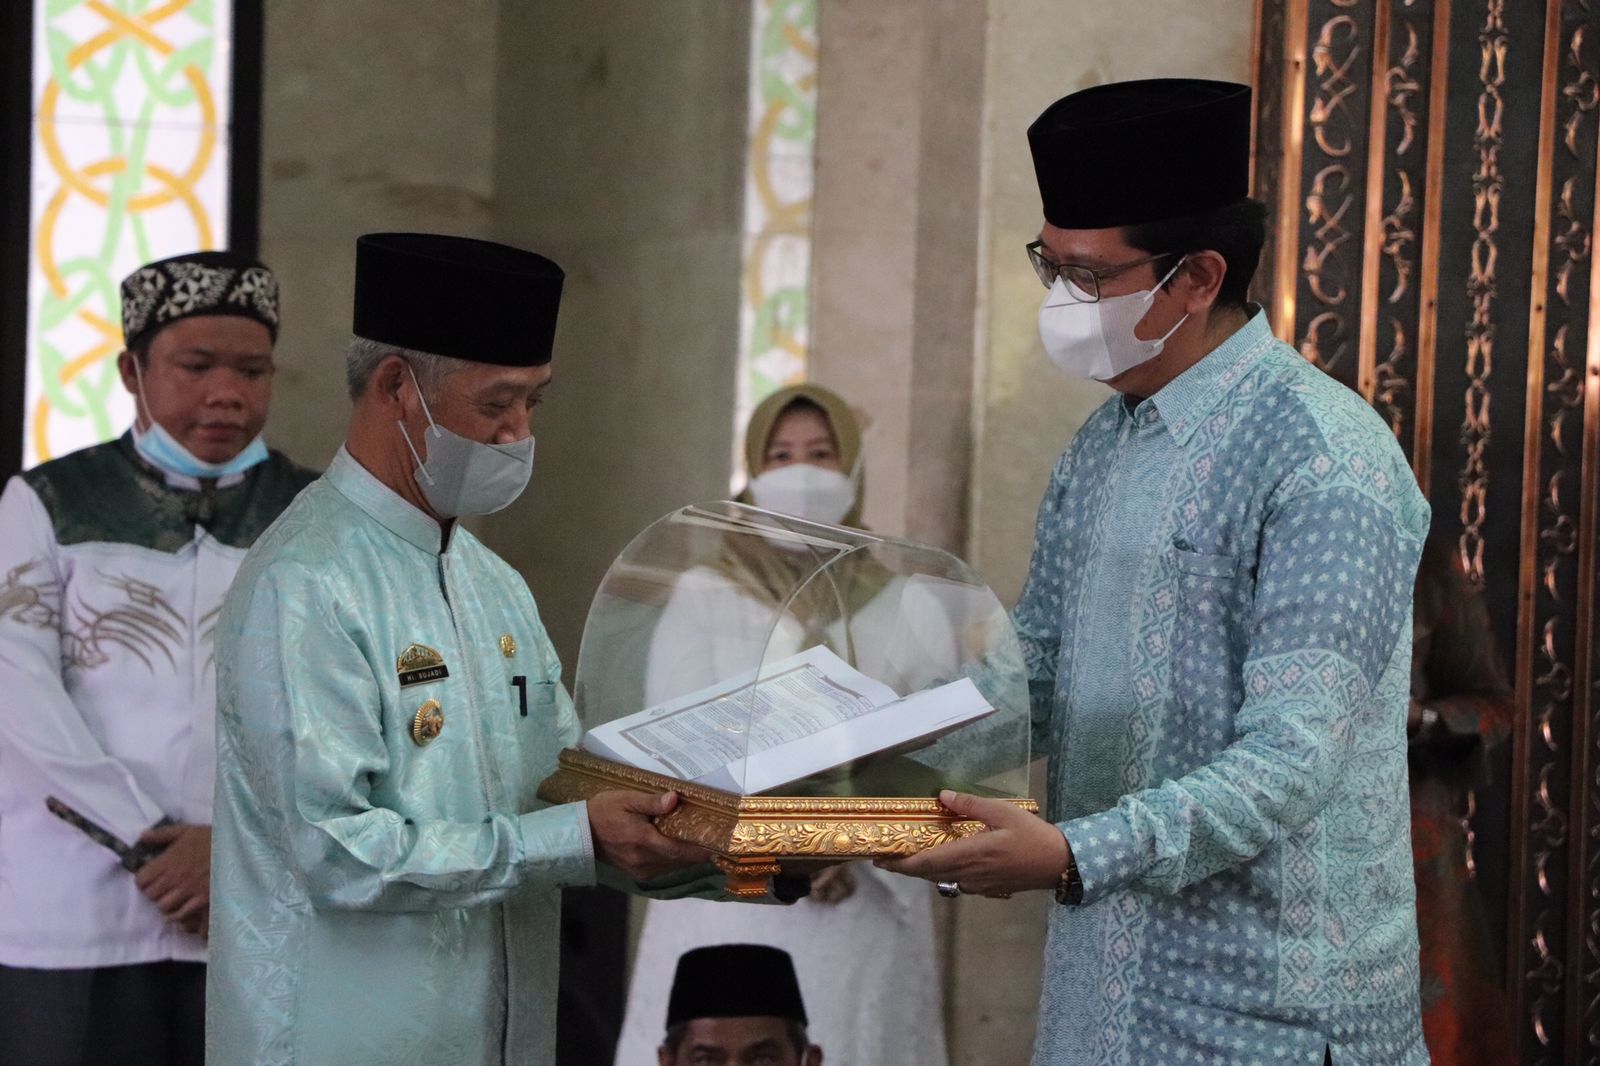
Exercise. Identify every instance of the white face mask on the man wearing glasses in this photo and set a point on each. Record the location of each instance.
(1097, 340)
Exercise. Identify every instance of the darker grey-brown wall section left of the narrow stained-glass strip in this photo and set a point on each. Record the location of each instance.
(620, 153)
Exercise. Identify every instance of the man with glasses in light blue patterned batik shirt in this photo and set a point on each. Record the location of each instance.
(1218, 631)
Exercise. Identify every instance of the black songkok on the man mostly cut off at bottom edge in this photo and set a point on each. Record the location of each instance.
(735, 982)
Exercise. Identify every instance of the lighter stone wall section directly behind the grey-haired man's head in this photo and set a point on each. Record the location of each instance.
(340, 159)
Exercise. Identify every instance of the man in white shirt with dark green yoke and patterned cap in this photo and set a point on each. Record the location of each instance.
(113, 569)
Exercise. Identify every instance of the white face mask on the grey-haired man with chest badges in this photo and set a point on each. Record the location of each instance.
(465, 476)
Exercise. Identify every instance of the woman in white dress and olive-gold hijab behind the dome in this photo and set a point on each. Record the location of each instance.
(863, 942)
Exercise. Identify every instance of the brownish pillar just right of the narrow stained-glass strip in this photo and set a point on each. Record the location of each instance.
(895, 247)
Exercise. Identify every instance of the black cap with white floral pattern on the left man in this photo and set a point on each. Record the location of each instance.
(198, 284)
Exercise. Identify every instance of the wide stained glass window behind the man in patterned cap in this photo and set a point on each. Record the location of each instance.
(130, 162)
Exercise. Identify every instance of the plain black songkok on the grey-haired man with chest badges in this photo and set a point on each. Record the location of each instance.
(457, 297)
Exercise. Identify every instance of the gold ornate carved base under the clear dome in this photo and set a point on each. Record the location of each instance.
(753, 838)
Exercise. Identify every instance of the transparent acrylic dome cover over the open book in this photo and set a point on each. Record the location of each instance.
(761, 654)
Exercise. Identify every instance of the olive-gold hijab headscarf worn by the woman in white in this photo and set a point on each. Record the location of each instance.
(770, 575)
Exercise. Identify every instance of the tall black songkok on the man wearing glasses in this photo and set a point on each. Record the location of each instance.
(1135, 153)
